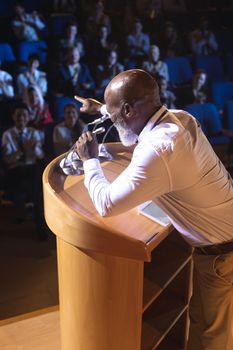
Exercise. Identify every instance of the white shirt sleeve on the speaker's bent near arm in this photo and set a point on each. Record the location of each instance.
(145, 178)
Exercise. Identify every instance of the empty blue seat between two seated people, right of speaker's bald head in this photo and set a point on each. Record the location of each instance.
(180, 70)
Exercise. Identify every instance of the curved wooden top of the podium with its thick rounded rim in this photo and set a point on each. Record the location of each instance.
(70, 214)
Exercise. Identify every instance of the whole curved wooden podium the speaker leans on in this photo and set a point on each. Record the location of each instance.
(124, 281)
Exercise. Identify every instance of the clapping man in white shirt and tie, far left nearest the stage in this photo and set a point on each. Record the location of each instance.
(22, 149)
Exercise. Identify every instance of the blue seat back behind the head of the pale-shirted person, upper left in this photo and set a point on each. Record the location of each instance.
(25, 48)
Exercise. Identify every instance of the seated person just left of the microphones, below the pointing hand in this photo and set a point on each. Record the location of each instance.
(67, 132)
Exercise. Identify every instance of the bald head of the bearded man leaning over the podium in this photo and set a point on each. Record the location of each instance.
(132, 97)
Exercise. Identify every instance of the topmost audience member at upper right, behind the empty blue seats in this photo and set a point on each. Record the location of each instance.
(202, 40)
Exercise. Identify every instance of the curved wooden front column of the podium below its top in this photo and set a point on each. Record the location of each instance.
(100, 300)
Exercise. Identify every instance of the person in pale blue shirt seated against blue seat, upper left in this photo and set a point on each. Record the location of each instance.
(32, 76)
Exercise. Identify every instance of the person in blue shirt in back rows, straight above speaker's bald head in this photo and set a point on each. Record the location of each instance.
(137, 42)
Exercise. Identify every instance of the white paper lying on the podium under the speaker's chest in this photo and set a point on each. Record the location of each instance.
(153, 212)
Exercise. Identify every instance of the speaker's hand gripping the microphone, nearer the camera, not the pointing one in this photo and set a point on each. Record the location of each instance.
(87, 146)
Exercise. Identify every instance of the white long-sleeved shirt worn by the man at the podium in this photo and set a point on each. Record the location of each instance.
(175, 166)
